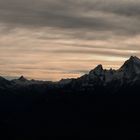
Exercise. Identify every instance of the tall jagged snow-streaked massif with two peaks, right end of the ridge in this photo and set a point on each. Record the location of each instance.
(129, 72)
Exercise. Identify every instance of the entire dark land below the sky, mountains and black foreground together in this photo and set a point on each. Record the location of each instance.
(101, 103)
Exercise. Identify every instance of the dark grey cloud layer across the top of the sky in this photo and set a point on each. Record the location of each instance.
(95, 15)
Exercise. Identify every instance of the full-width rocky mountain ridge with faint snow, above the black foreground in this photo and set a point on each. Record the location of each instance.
(127, 74)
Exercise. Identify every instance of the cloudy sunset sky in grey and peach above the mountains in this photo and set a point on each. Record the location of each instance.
(54, 39)
